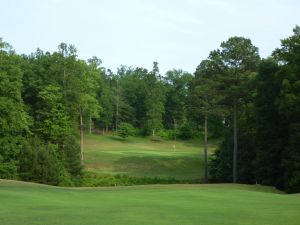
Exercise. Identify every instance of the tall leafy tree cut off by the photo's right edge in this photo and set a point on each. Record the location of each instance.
(288, 103)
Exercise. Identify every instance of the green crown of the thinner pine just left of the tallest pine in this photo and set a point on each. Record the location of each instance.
(205, 98)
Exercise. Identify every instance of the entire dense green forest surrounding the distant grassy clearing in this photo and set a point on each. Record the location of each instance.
(49, 100)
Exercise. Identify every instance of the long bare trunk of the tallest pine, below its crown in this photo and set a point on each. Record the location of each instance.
(235, 143)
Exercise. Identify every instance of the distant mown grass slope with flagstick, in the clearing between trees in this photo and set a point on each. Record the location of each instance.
(138, 156)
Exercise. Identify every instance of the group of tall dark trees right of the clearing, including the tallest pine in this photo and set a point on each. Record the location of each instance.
(259, 101)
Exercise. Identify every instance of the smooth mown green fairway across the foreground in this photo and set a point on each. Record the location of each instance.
(31, 204)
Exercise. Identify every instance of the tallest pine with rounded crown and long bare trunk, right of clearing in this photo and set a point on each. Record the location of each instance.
(240, 59)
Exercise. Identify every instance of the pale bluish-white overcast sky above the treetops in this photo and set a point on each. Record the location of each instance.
(175, 33)
